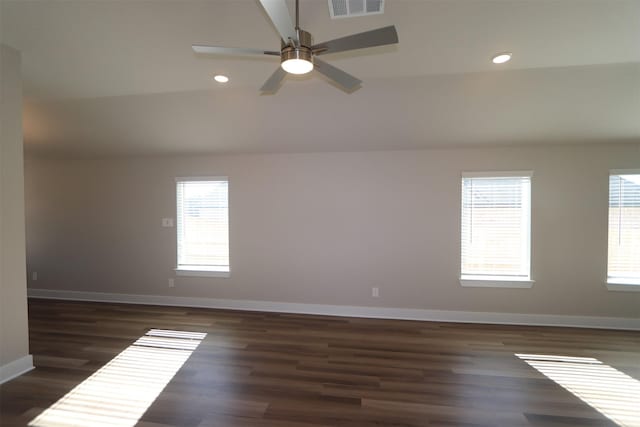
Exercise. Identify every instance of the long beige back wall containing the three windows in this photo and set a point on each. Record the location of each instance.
(325, 228)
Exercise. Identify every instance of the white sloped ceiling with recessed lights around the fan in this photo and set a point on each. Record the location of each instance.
(119, 77)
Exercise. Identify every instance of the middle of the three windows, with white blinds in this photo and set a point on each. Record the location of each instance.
(496, 218)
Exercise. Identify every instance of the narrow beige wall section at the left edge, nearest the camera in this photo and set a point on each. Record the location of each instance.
(14, 336)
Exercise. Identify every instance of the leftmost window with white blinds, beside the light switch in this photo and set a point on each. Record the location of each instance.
(203, 226)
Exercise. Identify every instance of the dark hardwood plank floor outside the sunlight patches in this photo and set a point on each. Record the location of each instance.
(284, 370)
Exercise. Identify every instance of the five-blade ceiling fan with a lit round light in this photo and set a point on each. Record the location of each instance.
(298, 54)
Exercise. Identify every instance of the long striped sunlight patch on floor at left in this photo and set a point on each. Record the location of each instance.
(120, 392)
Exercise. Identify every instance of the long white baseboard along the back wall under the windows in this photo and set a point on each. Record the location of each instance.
(624, 323)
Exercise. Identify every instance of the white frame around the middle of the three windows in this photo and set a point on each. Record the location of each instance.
(498, 281)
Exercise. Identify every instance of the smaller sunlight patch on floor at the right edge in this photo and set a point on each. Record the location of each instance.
(609, 391)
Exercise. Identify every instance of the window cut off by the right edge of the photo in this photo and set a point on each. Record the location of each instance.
(624, 228)
